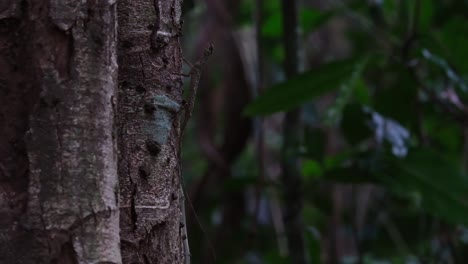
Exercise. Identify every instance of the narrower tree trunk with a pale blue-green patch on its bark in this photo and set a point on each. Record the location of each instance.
(150, 100)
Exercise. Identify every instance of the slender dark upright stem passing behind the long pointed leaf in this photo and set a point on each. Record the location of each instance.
(291, 178)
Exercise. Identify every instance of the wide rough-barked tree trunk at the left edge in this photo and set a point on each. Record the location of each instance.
(58, 169)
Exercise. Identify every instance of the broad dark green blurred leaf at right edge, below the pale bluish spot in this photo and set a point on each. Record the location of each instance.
(440, 183)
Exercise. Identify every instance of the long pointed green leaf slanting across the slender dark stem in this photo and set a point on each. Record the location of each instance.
(303, 88)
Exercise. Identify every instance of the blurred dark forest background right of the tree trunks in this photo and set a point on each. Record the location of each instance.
(342, 138)
